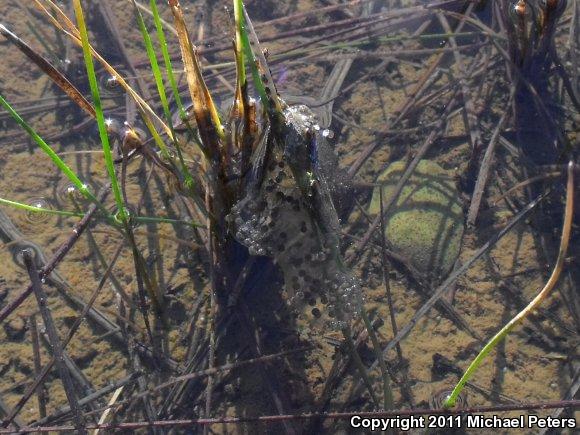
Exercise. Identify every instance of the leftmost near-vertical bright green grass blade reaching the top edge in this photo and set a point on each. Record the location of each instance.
(122, 214)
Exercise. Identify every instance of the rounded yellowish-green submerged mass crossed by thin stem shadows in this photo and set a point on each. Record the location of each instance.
(425, 225)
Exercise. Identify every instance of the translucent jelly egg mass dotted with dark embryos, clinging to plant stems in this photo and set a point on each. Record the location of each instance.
(276, 219)
